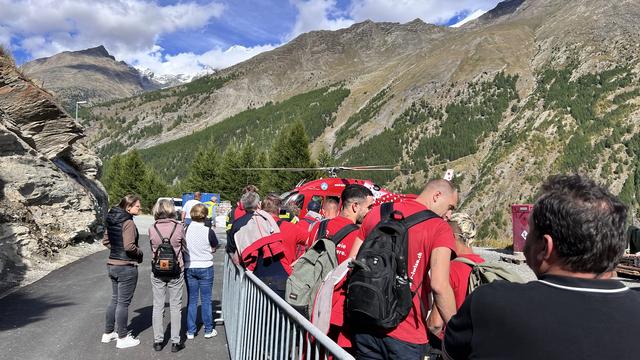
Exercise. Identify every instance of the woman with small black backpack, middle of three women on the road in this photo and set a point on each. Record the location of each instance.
(166, 237)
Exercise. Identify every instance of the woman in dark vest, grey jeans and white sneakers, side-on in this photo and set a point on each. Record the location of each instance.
(121, 238)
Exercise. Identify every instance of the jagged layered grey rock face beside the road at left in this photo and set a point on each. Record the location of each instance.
(49, 194)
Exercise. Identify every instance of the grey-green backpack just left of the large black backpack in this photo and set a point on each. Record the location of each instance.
(311, 269)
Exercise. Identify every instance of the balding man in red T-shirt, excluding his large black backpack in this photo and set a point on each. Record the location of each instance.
(430, 245)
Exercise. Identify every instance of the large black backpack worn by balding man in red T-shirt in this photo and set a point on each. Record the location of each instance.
(379, 290)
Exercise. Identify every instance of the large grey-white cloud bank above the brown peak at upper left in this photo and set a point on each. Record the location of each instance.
(123, 26)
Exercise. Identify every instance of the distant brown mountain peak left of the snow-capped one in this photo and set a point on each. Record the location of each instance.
(92, 75)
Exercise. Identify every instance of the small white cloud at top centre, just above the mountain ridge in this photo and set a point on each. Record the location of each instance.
(317, 15)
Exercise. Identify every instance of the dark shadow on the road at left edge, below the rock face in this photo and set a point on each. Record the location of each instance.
(18, 310)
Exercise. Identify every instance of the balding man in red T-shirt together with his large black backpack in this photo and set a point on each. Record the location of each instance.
(402, 243)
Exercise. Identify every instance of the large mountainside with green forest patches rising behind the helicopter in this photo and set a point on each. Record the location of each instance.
(529, 88)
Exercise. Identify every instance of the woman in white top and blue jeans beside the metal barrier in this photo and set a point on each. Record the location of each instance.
(201, 243)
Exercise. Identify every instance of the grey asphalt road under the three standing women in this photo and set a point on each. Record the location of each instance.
(61, 316)
